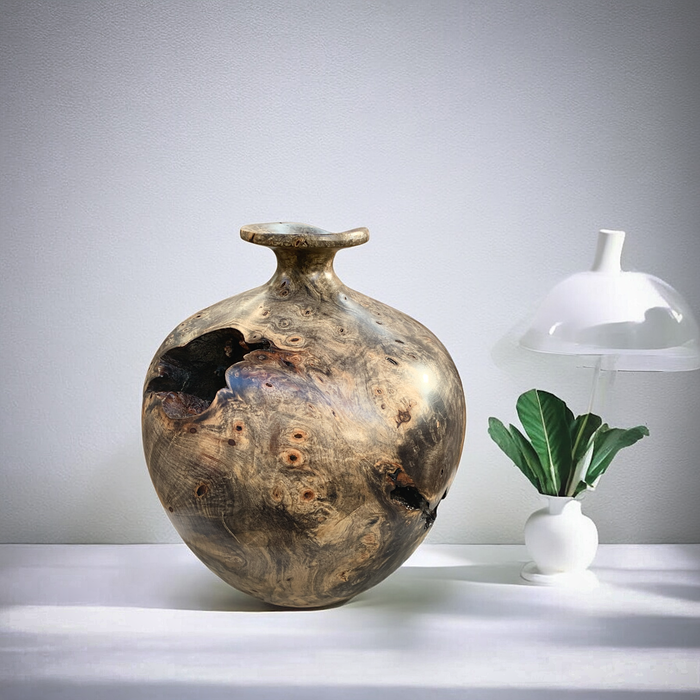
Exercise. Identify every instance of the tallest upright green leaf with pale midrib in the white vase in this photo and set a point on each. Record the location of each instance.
(546, 420)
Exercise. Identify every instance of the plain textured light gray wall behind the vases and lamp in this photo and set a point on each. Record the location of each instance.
(482, 142)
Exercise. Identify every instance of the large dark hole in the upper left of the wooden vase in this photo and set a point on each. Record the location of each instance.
(195, 372)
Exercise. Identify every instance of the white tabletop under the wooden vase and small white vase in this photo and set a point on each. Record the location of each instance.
(150, 621)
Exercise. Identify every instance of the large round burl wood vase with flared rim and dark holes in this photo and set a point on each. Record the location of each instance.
(301, 435)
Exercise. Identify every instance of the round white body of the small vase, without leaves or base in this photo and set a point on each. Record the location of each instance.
(560, 538)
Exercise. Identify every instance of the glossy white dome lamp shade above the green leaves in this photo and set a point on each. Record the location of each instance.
(638, 318)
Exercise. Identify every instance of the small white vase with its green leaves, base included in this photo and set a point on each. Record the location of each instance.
(564, 457)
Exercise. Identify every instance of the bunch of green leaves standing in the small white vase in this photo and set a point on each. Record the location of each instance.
(564, 455)
